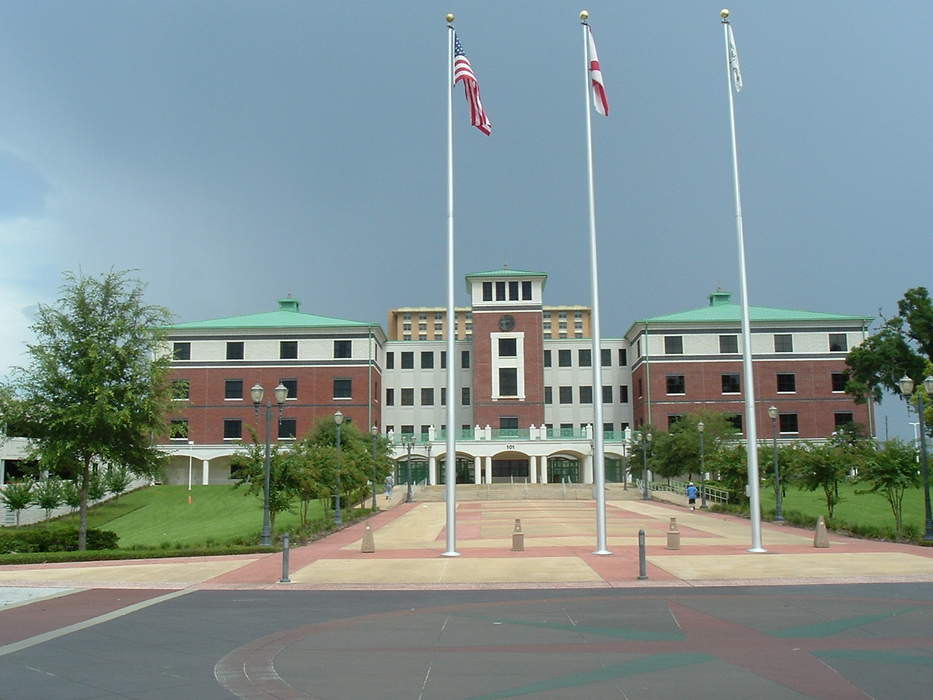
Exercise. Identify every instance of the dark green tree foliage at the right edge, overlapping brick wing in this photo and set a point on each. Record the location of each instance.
(902, 346)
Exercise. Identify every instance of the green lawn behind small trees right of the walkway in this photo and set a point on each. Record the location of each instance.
(868, 509)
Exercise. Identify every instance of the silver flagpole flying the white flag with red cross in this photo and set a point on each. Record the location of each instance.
(599, 471)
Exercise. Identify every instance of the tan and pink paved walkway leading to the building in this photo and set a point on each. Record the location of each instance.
(559, 537)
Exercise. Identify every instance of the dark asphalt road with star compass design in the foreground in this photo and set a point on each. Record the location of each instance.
(851, 641)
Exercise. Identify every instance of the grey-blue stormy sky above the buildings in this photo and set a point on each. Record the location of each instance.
(233, 152)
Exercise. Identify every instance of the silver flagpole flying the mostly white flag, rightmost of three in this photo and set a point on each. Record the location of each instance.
(751, 444)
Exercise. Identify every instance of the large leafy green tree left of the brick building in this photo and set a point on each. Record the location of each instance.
(95, 390)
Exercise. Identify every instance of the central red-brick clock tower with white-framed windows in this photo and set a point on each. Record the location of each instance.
(508, 348)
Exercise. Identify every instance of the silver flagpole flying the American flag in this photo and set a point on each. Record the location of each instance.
(450, 463)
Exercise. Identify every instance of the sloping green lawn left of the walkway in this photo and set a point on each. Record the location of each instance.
(154, 516)
